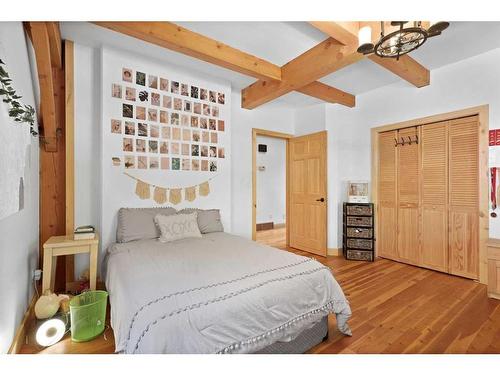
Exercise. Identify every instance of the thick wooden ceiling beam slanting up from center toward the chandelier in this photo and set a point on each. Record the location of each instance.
(321, 60)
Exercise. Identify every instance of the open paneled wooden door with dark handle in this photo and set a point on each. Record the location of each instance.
(308, 215)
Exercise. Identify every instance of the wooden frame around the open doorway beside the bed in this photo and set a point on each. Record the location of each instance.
(268, 133)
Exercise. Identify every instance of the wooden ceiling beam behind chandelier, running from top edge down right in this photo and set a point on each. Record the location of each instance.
(406, 67)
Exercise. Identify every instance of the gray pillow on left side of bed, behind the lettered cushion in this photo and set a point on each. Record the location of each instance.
(138, 223)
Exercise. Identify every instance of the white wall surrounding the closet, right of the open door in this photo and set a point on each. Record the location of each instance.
(471, 82)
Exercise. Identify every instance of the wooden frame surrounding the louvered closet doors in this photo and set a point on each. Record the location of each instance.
(483, 115)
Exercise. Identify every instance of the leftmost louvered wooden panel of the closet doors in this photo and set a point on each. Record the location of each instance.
(387, 197)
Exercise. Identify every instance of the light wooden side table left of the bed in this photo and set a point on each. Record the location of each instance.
(66, 245)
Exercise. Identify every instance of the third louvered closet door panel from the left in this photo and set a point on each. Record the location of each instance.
(434, 176)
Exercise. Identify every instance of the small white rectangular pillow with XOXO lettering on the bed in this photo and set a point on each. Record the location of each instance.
(177, 227)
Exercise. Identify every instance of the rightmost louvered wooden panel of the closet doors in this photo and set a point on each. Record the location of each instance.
(464, 197)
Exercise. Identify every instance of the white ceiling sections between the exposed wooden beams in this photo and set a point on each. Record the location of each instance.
(280, 42)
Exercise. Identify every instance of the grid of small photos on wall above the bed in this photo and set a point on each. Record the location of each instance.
(168, 124)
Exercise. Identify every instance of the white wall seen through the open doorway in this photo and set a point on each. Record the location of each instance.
(271, 183)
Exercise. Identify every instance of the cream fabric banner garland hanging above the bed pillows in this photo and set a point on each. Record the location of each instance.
(174, 194)
